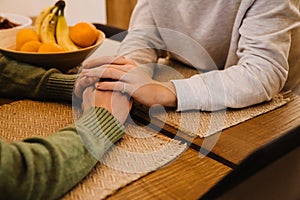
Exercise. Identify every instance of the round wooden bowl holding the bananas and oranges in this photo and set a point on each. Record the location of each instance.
(64, 61)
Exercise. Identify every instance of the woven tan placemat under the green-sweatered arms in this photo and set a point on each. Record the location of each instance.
(138, 153)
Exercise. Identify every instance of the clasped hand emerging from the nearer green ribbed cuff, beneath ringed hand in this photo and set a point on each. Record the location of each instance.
(115, 102)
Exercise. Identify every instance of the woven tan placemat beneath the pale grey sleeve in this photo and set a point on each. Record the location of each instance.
(198, 123)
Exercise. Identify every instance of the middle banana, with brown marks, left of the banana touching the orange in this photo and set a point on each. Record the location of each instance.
(47, 30)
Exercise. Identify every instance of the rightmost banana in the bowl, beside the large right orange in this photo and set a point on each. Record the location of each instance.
(62, 34)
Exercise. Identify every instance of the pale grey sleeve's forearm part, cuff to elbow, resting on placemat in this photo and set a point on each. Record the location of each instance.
(235, 88)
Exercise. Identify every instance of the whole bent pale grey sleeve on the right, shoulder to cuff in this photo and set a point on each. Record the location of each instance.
(259, 67)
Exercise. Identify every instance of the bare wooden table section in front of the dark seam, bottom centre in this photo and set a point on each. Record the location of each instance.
(189, 177)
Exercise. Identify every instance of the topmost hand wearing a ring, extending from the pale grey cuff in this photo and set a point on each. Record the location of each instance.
(136, 82)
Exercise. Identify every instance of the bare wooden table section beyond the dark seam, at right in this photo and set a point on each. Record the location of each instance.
(235, 143)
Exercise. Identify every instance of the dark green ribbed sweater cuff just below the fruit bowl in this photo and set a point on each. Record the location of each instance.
(60, 86)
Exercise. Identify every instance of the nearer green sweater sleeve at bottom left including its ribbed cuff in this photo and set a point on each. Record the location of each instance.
(46, 168)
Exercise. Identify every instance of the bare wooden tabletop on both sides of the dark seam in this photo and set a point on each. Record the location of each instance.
(190, 176)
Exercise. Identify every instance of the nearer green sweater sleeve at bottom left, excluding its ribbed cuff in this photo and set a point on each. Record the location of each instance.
(43, 168)
